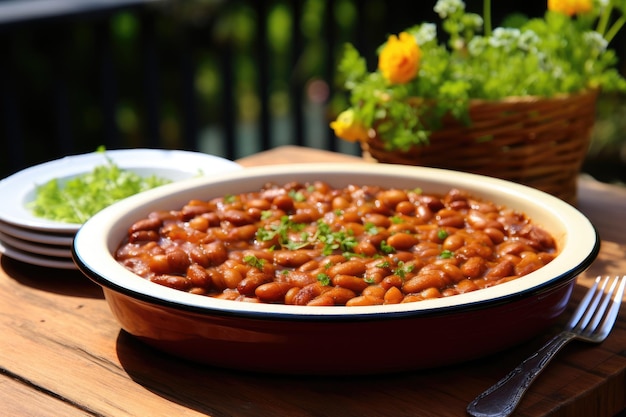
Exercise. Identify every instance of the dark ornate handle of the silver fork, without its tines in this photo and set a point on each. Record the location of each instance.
(501, 399)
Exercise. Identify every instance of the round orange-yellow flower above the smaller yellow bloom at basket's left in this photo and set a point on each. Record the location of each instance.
(399, 59)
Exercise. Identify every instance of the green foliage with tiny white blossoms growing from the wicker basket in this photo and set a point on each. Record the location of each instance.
(548, 56)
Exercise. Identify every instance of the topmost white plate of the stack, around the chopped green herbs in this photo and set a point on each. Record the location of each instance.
(19, 188)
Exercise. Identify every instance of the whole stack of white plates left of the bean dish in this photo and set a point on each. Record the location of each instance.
(42, 242)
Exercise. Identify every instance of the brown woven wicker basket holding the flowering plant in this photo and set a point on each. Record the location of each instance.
(540, 142)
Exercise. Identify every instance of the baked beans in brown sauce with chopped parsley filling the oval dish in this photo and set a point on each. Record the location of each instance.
(312, 244)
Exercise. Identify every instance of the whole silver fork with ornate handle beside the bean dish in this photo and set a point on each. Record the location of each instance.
(591, 322)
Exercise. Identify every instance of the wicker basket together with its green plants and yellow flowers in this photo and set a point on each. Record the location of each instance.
(515, 102)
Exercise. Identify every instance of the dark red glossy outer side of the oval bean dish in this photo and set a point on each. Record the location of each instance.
(335, 346)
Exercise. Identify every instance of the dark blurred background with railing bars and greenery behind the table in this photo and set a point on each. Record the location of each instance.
(266, 68)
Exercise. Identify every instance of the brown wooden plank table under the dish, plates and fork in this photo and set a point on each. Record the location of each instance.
(63, 354)
